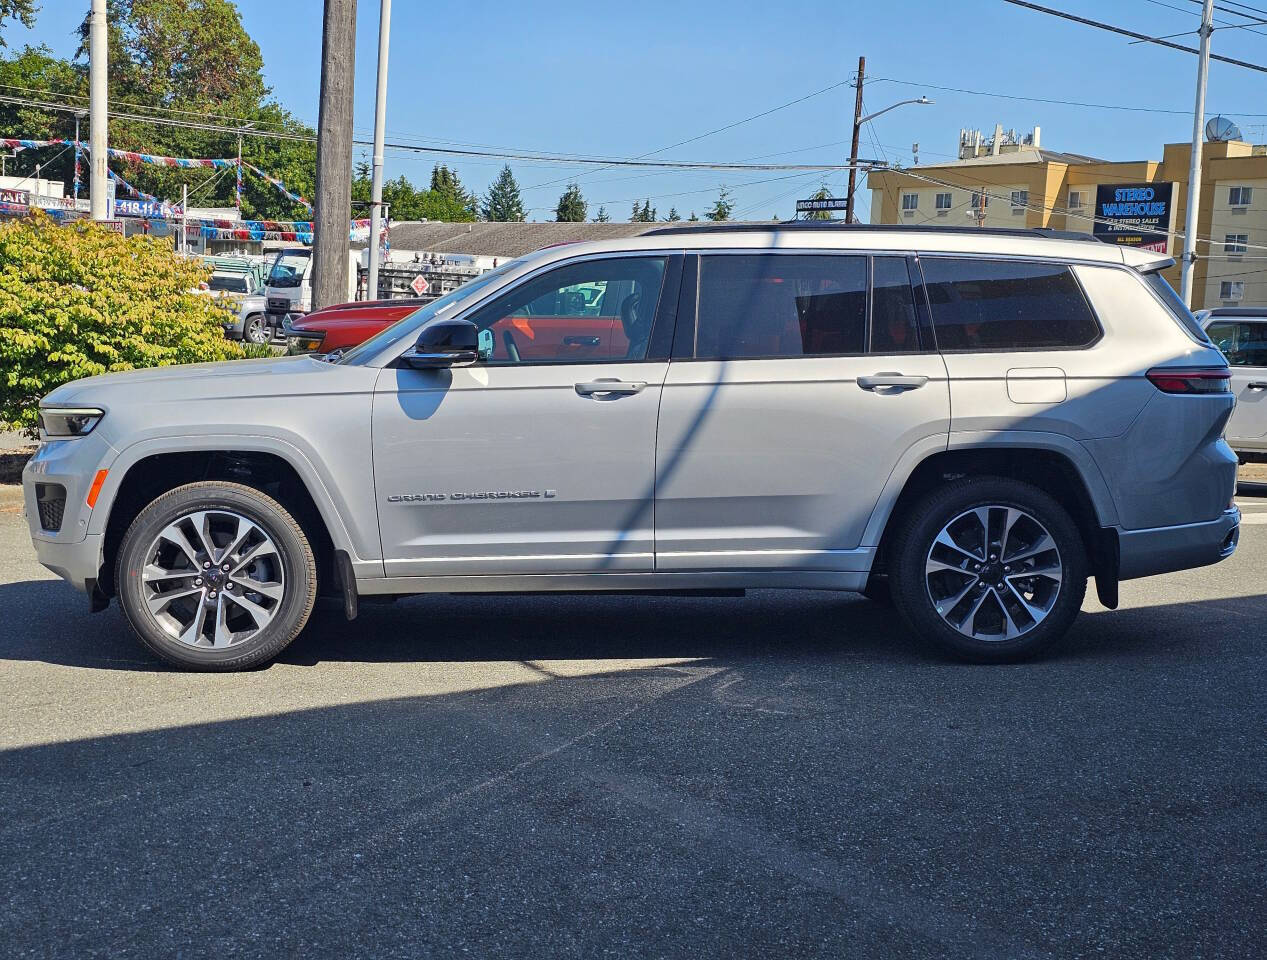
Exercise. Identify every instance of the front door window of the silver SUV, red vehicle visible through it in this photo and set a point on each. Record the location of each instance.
(587, 312)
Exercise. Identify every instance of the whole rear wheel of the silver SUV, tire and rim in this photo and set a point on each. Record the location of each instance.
(990, 569)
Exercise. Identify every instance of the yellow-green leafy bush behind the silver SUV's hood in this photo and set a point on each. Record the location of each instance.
(80, 301)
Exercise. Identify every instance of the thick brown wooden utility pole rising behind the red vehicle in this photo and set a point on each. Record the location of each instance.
(334, 199)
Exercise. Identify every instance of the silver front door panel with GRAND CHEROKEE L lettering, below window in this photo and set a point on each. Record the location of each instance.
(509, 469)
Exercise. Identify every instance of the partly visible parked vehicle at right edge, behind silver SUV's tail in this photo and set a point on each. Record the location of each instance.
(1241, 334)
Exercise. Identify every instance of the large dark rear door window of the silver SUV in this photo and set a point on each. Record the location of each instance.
(776, 306)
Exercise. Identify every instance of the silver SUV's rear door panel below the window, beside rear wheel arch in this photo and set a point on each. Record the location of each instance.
(767, 464)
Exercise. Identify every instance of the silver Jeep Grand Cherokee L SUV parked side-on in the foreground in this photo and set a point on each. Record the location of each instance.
(967, 424)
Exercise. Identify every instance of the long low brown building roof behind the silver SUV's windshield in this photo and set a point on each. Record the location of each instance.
(510, 240)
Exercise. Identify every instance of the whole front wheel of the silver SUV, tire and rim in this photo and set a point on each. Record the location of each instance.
(216, 577)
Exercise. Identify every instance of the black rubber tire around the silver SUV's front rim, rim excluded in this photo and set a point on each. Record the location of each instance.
(293, 550)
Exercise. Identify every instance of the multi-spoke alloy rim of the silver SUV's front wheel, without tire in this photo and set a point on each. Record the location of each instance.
(213, 579)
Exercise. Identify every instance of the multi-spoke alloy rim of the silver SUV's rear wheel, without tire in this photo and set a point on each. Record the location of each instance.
(994, 573)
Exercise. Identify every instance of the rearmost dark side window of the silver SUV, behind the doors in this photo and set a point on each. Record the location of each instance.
(996, 305)
